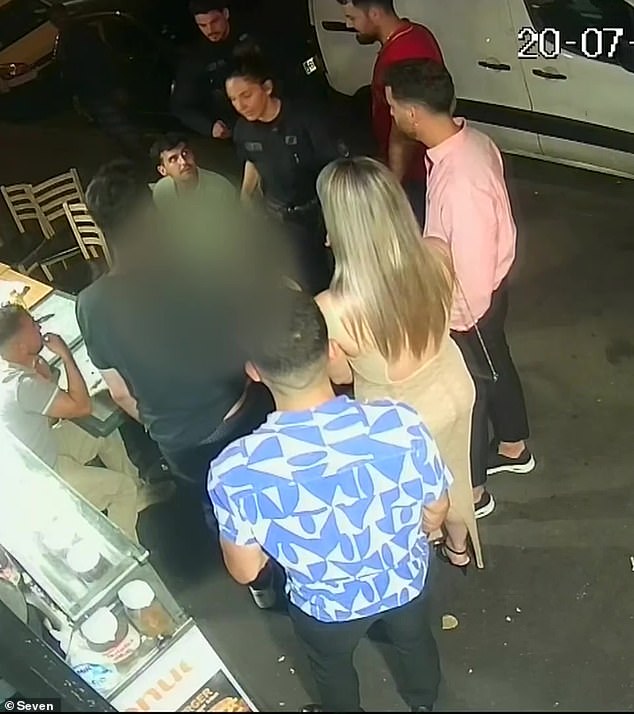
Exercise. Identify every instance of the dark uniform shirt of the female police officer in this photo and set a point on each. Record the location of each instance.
(290, 151)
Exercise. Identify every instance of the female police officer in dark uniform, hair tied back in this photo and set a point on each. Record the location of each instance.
(284, 145)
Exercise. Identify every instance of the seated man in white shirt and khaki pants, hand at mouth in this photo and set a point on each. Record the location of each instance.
(35, 410)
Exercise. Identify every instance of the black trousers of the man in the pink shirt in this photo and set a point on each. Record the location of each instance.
(501, 403)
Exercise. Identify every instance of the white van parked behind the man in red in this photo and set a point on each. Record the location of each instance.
(551, 79)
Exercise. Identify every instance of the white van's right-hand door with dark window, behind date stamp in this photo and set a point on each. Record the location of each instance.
(578, 63)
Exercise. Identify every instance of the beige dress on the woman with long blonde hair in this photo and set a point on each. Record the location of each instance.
(443, 393)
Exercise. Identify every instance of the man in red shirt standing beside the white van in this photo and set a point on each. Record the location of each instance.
(377, 21)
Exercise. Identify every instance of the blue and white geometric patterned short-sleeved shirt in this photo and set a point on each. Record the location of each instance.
(335, 495)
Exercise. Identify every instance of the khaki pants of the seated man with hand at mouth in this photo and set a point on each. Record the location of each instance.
(112, 489)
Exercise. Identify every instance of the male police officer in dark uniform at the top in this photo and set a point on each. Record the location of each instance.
(199, 99)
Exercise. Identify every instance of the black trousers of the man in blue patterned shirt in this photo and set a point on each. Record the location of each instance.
(330, 648)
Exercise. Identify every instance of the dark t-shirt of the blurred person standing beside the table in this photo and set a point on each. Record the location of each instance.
(177, 353)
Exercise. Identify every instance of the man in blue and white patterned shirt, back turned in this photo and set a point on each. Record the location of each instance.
(341, 494)
